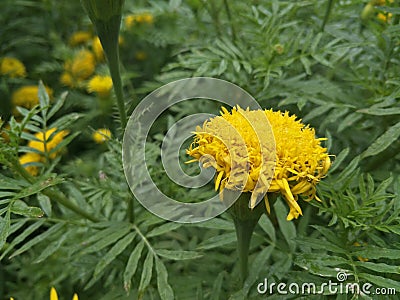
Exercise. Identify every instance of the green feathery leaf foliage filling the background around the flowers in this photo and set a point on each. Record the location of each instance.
(75, 225)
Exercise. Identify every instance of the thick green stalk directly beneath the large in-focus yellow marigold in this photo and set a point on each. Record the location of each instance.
(245, 221)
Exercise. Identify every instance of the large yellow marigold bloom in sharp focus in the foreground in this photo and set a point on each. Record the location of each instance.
(300, 159)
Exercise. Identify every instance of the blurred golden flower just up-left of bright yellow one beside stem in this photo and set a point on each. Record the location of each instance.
(82, 66)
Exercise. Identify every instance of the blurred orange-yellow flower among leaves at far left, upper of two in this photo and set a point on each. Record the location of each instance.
(52, 141)
